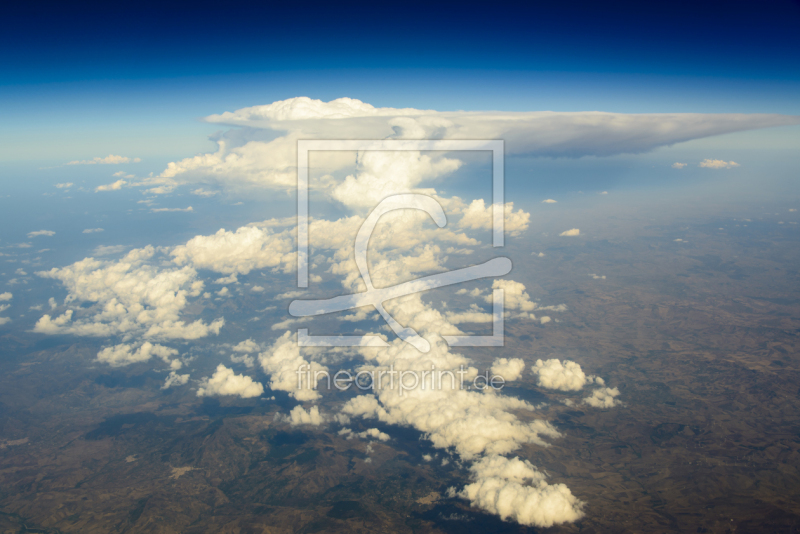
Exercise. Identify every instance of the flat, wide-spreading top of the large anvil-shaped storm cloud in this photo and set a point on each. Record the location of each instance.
(546, 133)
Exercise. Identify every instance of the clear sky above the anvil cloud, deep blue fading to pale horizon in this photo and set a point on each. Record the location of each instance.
(79, 80)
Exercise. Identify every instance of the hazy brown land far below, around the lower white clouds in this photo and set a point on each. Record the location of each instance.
(700, 336)
